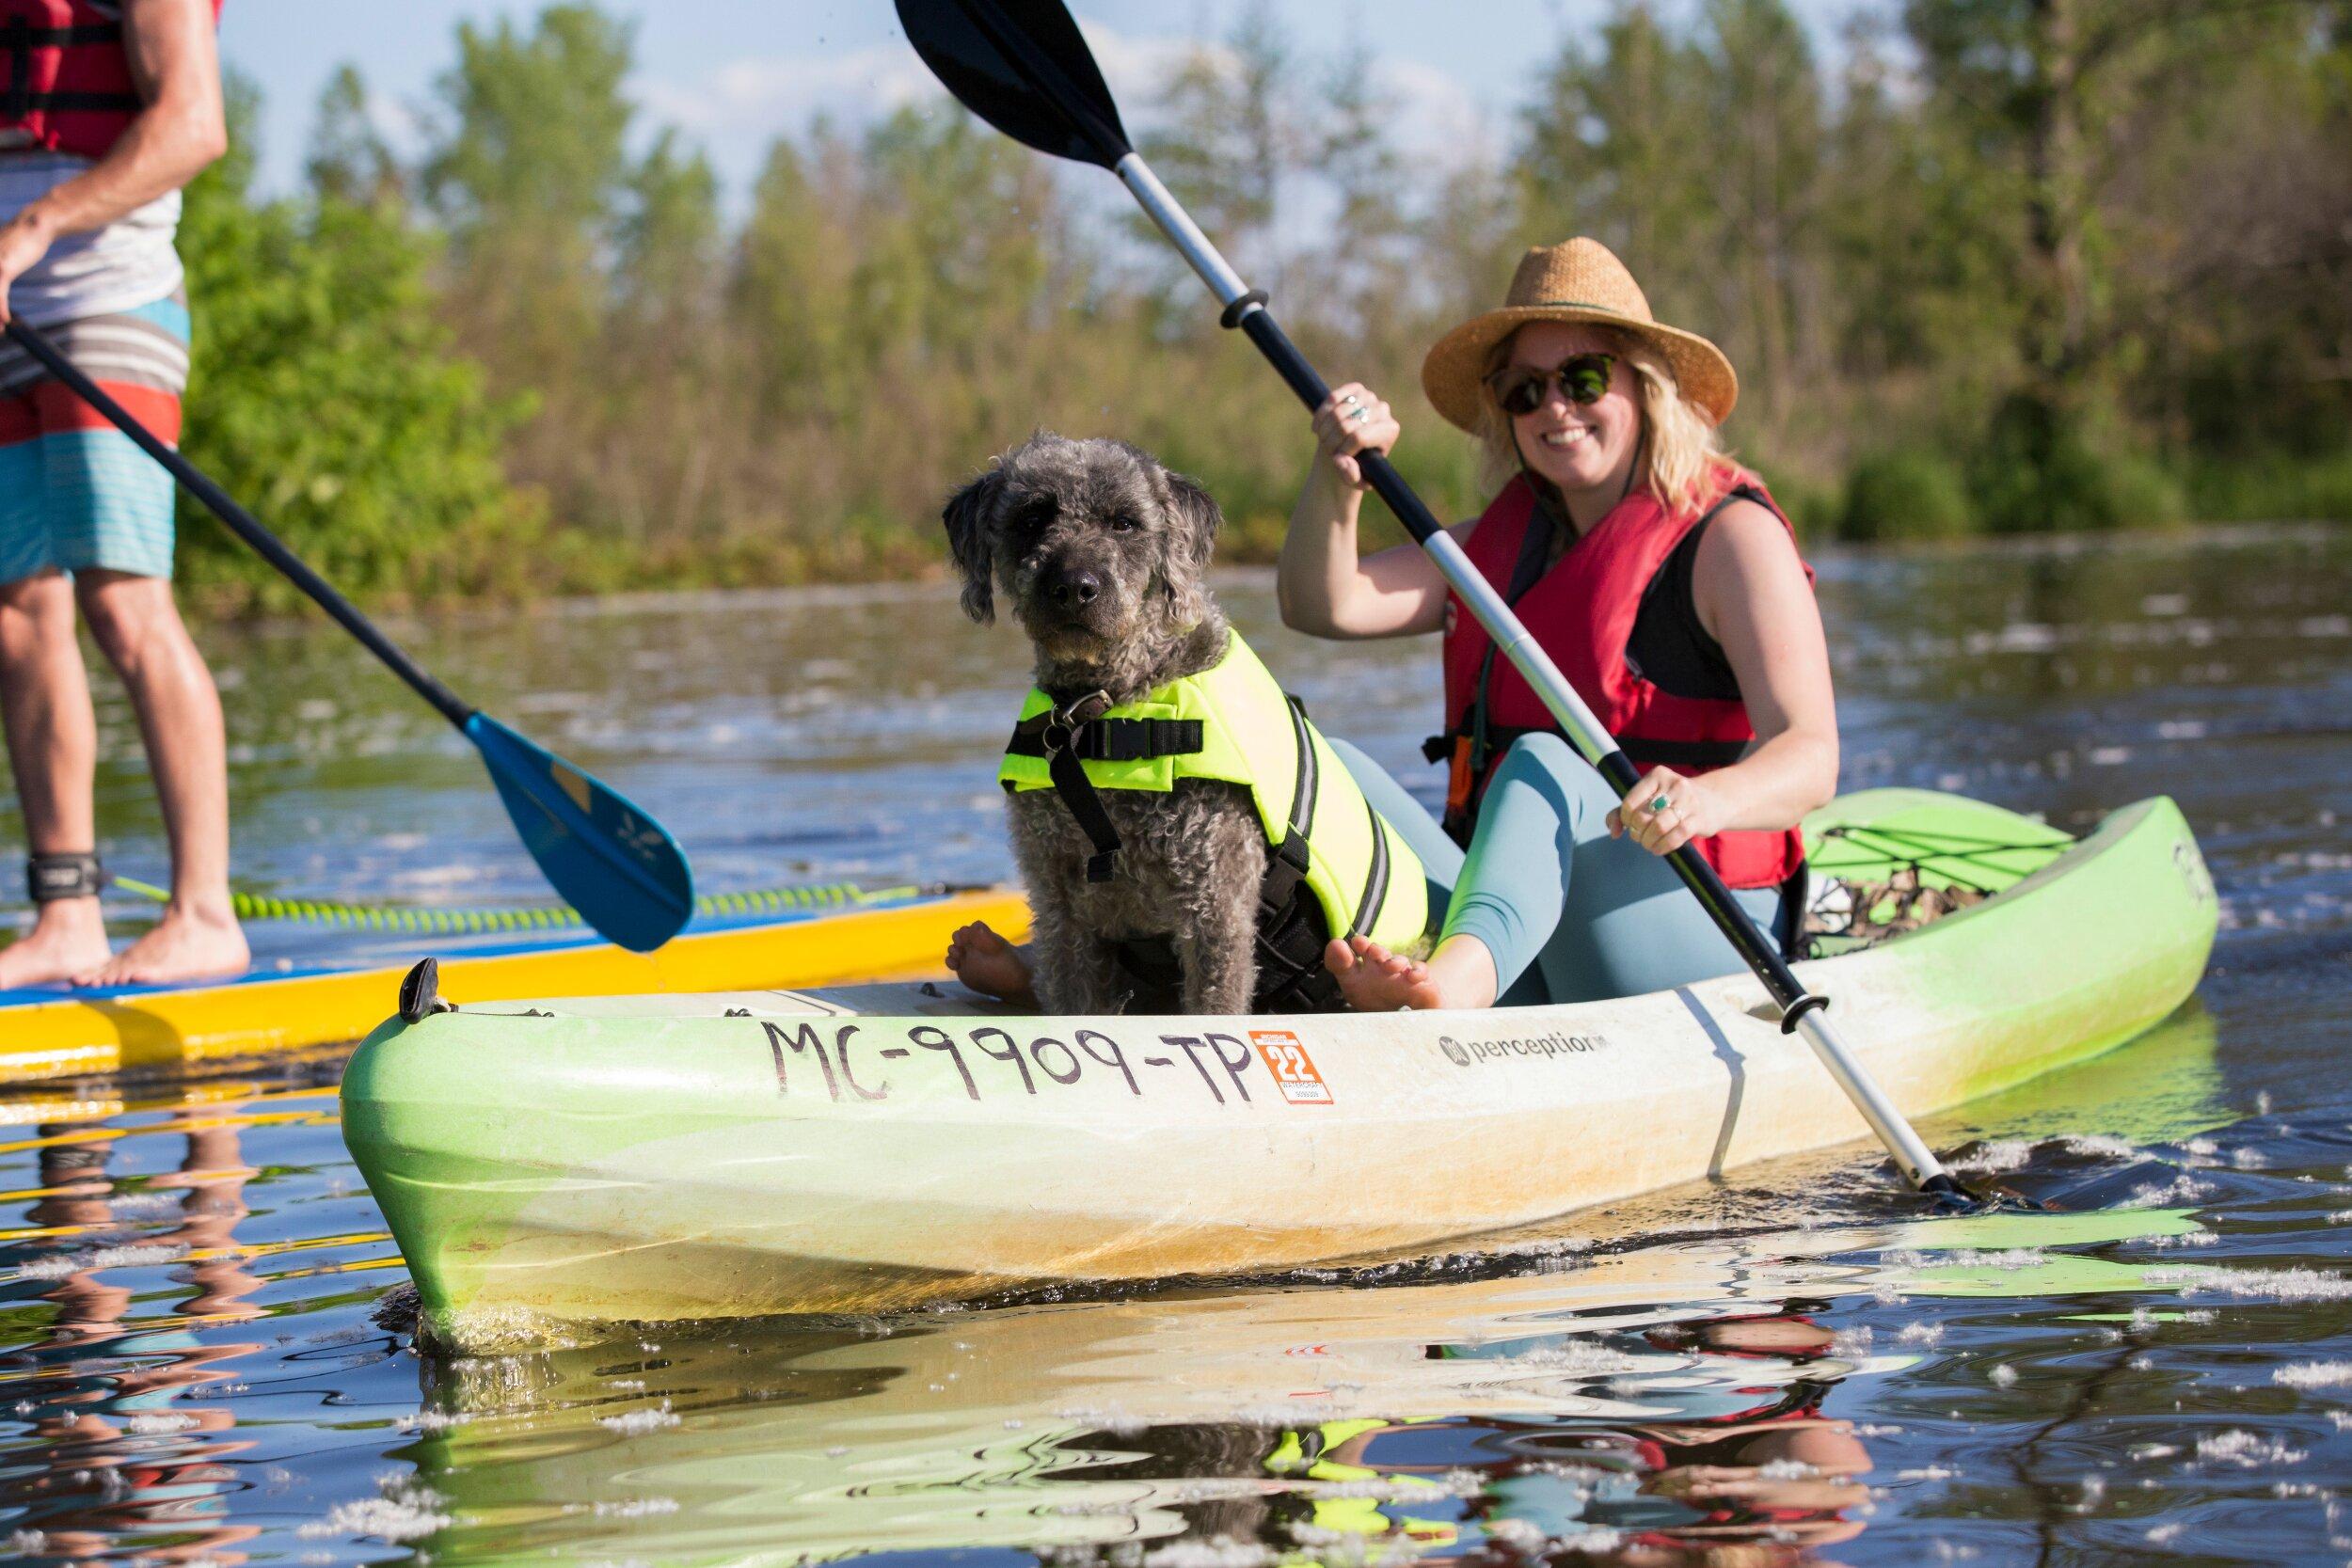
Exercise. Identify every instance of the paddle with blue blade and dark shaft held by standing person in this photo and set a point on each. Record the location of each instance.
(606, 857)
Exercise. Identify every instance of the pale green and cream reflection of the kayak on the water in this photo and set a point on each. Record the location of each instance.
(1636, 1405)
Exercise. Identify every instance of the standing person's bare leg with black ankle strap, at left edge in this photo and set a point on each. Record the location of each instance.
(53, 749)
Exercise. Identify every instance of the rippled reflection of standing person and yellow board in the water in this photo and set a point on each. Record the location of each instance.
(133, 1325)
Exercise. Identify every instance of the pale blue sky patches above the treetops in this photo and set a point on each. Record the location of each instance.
(737, 74)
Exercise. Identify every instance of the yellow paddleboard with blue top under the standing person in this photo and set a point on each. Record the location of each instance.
(53, 1031)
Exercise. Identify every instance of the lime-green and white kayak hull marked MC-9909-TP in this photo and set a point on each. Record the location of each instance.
(559, 1170)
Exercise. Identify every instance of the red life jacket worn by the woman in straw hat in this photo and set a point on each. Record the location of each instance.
(1582, 612)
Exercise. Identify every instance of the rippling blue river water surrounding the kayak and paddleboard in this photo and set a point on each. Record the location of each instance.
(199, 1360)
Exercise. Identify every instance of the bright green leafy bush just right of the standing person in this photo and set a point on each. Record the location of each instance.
(330, 401)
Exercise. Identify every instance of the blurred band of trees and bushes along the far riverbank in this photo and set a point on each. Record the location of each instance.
(1984, 267)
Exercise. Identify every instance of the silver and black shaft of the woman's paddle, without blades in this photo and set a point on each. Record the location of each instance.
(1800, 1012)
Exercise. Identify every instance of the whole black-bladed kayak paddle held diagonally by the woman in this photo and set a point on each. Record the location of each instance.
(1024, 67)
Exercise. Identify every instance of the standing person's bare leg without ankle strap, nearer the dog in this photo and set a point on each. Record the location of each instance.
(180, 721)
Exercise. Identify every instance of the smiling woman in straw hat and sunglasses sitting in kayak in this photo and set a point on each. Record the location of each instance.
(1669, 589)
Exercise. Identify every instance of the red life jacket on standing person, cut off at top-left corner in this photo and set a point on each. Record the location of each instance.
(67, 76)
